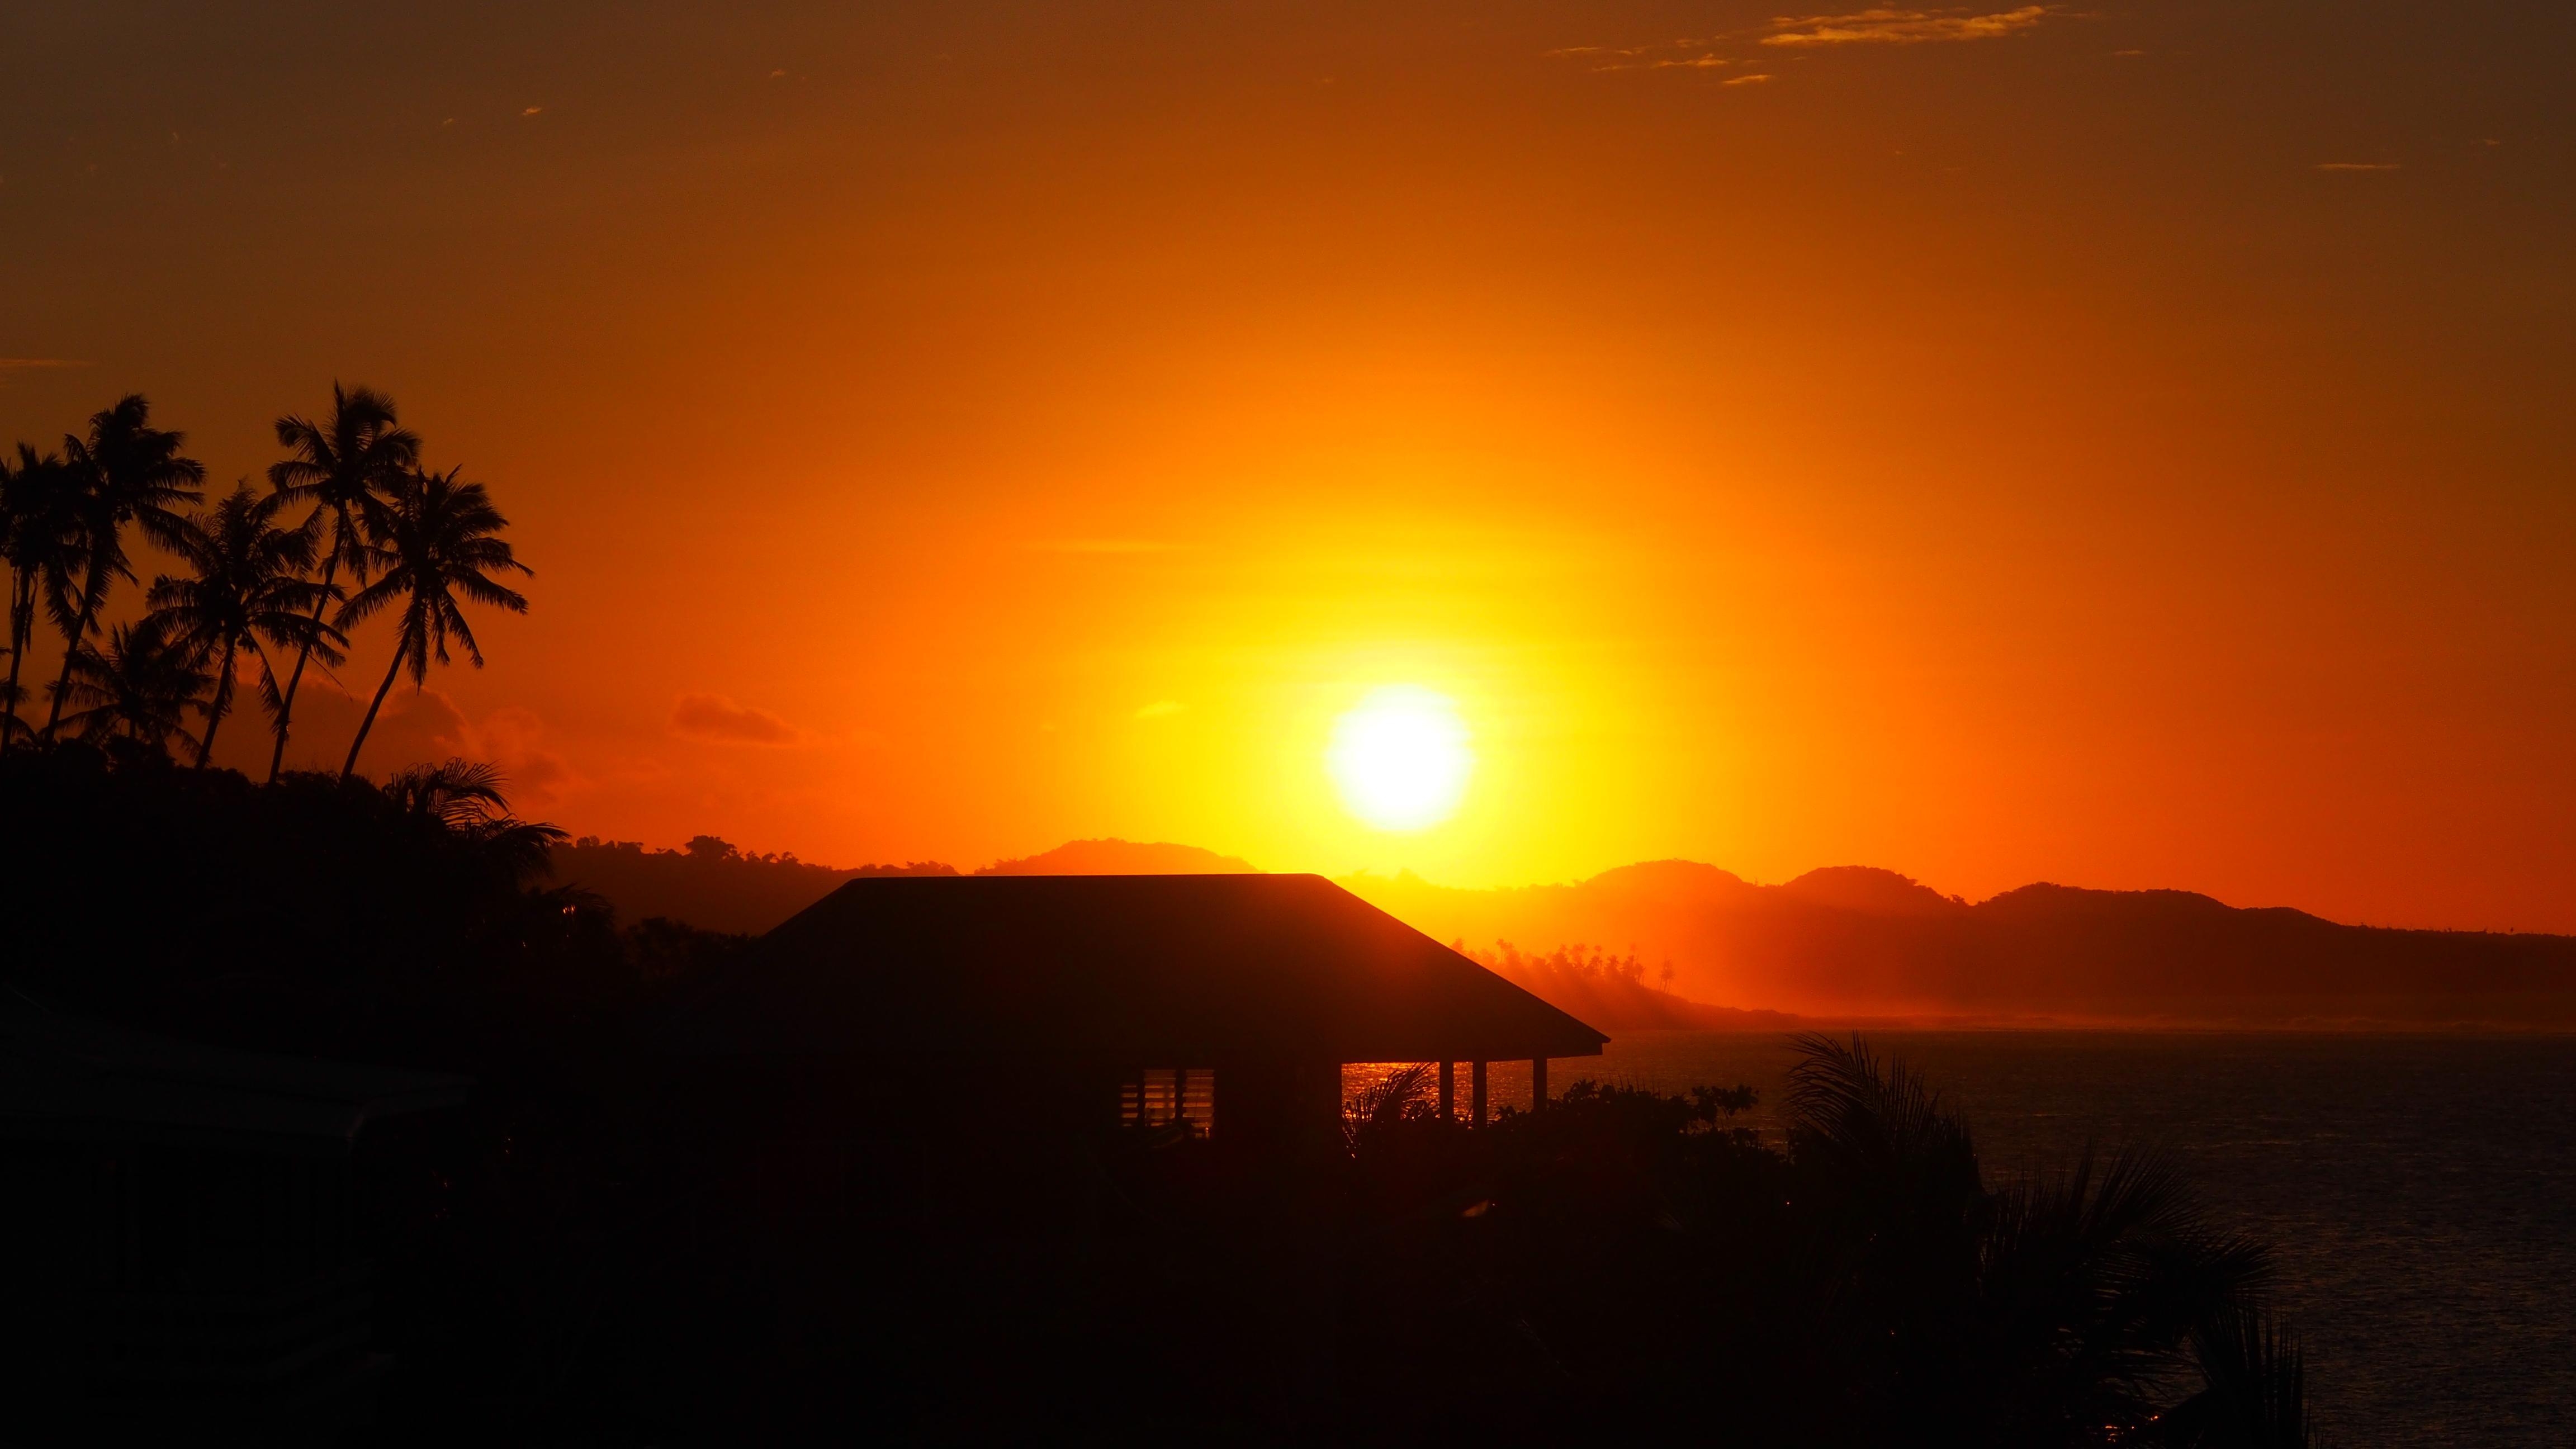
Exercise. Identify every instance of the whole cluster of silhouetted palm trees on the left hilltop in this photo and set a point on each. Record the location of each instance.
(249, 576)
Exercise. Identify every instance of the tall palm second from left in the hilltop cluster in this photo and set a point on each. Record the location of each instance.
(125, 473)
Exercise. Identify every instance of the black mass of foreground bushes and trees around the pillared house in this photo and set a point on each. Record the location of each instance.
(612, 1247)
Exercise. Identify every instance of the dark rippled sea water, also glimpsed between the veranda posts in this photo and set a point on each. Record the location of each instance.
(2420, 1190)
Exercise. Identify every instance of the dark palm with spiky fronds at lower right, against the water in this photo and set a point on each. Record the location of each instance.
(2034, 1314)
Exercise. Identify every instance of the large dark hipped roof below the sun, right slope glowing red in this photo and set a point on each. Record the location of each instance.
(1153, 971)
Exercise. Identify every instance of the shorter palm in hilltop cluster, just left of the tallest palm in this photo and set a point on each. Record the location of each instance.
(246, 587)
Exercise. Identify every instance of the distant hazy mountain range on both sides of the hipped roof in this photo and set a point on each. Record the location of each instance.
(1838, 942)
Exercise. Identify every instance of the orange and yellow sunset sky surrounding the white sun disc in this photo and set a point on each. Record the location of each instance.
(2116, 445)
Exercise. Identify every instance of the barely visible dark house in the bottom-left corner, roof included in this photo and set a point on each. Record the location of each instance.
(179, 1244)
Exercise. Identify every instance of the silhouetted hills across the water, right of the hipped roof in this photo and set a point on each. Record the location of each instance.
(1874, 942)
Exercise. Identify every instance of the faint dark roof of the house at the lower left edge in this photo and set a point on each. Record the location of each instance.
(61, 1074)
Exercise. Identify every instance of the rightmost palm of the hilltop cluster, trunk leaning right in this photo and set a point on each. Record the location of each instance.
(442, 540)
